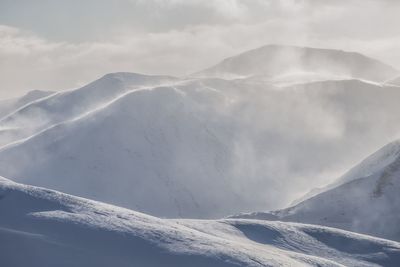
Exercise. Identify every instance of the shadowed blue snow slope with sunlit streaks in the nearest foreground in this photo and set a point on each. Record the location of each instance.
(40, 227)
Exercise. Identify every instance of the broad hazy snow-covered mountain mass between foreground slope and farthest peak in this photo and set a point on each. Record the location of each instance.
(194, 147)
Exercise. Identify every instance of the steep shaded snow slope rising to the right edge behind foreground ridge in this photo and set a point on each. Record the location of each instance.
(366, 199)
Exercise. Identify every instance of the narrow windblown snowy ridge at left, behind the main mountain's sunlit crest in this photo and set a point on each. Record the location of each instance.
(65, 105)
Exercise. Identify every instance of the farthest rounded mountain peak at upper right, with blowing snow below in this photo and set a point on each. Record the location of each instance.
(284, 64)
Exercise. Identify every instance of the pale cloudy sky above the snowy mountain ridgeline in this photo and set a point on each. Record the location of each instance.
(56, 45)
